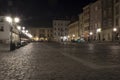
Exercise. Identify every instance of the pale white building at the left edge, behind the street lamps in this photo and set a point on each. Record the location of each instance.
(9, 33)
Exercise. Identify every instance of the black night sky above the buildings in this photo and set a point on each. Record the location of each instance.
(39, 13)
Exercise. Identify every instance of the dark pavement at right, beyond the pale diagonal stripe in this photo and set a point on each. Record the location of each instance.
(97, 54)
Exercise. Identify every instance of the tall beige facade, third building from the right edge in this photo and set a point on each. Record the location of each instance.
(95, 20)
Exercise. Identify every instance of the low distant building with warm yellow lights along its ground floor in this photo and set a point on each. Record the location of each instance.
(42, 34)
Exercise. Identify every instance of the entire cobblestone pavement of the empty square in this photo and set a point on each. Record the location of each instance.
(53, 61)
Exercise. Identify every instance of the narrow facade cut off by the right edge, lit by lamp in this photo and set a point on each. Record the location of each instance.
(116, 29)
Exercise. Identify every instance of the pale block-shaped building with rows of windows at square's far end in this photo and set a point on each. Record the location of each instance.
(60, 30)
